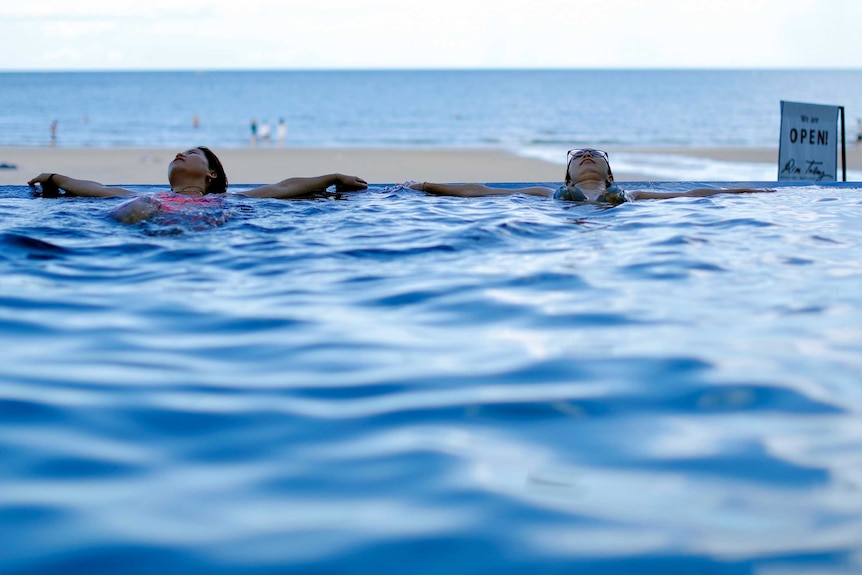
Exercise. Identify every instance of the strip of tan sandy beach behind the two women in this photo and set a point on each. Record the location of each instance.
(267, 165)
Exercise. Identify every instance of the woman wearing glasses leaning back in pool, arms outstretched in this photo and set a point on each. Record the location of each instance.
(588, 179)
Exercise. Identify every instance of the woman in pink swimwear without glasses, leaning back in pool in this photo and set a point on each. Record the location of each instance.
(196, 176)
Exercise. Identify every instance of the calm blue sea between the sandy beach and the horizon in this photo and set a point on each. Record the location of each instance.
(534, 113)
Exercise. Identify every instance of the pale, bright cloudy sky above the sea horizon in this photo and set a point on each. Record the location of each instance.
(408, 34)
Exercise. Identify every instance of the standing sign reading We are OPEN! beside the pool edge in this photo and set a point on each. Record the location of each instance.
(809, 139)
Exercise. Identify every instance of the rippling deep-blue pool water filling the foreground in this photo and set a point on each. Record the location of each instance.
(390, 382)
